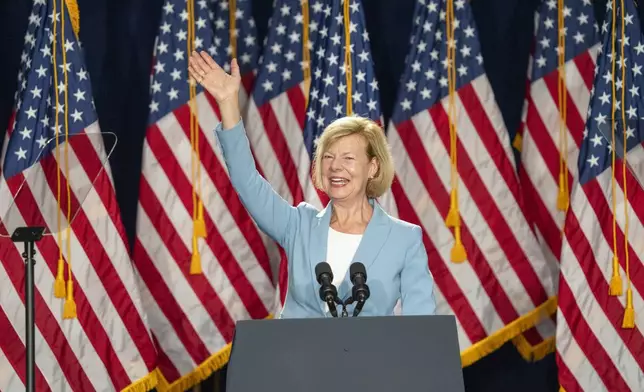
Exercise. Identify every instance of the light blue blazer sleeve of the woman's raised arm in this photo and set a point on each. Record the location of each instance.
(273, 214)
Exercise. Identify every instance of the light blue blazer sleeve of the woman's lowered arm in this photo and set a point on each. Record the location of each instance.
(416, 281)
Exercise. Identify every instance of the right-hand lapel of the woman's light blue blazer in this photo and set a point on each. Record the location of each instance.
(372, 241)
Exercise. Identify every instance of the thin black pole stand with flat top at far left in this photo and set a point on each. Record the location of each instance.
(29, 236)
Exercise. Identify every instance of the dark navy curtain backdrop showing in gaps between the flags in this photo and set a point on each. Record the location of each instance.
(118, 36)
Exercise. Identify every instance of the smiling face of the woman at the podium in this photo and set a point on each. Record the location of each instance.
(346, 168)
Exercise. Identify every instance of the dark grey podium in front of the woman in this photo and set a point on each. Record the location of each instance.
(361, 354)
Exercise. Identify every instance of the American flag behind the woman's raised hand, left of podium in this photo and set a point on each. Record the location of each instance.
(193, 313)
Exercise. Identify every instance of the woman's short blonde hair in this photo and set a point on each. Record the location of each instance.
(377, 147)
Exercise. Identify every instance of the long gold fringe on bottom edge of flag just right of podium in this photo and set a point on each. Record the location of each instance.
(517, 327)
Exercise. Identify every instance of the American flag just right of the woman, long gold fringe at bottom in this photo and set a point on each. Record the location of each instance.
(505, 285)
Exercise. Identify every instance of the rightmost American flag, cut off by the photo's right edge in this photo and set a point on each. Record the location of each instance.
(601, 312)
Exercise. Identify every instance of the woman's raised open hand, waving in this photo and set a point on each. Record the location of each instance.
(221, 85)
